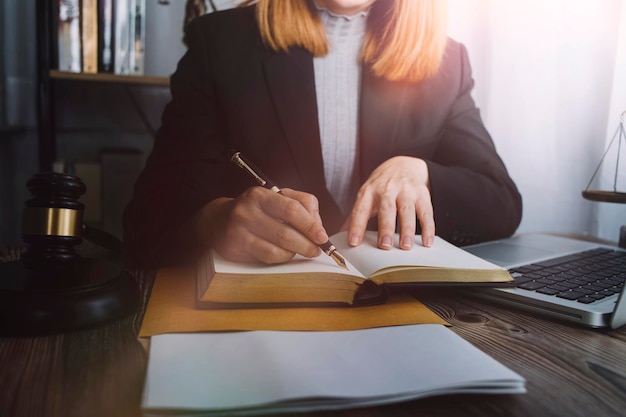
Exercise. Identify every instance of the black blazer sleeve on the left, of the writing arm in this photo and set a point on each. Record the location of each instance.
(181, 174)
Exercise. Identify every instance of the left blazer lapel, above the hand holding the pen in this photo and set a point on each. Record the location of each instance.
(292, 86)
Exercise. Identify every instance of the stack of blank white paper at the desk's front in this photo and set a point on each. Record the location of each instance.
(249, 373)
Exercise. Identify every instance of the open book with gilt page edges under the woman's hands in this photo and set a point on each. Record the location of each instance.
(221, 283)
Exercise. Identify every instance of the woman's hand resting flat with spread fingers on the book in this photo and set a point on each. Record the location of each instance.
(398, 188)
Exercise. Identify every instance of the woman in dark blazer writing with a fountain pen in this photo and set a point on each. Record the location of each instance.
(252, 80)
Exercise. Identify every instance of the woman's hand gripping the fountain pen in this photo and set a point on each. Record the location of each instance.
(261, 225)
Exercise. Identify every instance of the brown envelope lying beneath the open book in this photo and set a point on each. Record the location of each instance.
(171, 308)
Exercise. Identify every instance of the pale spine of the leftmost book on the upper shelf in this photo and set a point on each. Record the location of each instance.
(69, 45)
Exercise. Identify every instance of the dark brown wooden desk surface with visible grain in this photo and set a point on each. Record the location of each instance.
(570, 371)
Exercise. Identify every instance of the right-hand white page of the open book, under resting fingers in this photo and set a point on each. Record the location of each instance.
(368, 258)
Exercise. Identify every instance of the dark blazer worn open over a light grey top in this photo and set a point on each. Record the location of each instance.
(230, 91)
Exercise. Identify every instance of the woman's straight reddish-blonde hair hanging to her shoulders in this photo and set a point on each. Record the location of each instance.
(405, 39)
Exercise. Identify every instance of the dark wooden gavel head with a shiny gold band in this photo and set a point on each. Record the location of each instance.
(52, 221)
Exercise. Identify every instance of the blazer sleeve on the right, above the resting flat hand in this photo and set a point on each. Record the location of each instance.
(474, 198)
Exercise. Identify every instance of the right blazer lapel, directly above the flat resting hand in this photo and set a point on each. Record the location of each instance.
(379, 119)
